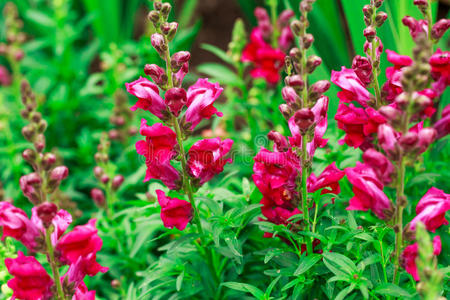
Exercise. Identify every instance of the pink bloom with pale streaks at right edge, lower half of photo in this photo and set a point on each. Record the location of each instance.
(431, 210)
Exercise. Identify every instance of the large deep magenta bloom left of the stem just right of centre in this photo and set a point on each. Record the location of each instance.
(275, 174)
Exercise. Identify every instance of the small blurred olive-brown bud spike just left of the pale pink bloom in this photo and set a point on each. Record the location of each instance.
(121, 118)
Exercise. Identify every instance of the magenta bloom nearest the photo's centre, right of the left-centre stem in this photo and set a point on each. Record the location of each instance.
(206, 158)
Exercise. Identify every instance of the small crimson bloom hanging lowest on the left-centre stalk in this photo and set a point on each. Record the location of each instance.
(174, 212)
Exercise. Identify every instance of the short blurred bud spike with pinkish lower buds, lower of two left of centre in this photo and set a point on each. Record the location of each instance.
(104, 173)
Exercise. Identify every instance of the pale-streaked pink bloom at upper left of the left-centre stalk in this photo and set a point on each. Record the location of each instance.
(148, 97)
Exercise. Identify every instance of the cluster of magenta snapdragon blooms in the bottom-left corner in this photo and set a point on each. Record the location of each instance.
(76, 248)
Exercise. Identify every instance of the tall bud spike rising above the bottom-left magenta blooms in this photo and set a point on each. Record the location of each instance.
(46, 177)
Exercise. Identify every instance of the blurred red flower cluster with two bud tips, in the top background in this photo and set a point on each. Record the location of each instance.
(268, 61)
